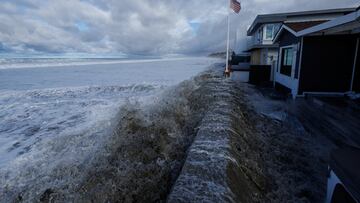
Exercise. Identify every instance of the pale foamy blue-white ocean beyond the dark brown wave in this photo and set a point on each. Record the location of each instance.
(60, 114)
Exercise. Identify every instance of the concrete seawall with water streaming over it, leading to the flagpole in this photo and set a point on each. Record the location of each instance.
(219, 167)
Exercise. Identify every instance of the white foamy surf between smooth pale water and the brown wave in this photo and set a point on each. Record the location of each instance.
(29, 117)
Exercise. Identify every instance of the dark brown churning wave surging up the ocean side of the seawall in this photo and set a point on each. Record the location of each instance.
(148, 147)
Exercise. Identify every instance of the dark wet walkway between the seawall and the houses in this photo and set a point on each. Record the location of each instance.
(298, 137)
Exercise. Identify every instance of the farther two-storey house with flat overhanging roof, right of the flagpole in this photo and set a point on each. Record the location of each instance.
(264, 50)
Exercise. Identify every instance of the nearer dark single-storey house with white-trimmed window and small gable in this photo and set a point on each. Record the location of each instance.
(318, 57)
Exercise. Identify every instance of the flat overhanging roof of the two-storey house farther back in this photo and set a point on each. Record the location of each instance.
(282, 17)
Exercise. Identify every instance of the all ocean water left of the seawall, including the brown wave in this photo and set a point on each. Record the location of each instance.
(92, 132)
